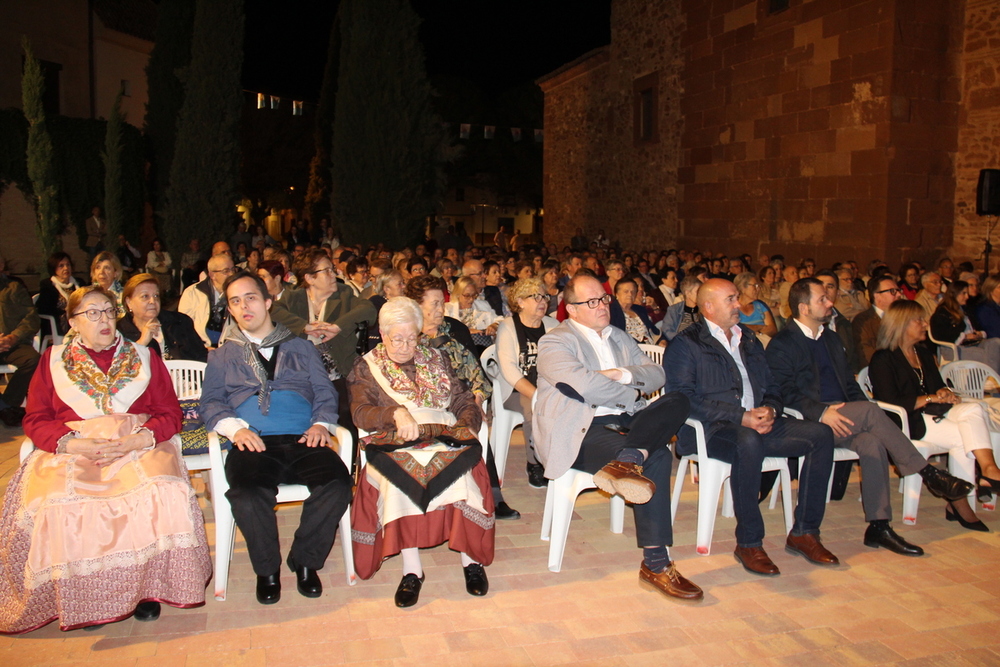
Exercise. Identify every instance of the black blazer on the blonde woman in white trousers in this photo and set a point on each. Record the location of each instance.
(894, 381)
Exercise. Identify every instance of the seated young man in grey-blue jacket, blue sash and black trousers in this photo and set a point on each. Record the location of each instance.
(267, 391)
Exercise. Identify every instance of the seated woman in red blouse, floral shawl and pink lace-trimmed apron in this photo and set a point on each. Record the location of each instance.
(100, 522)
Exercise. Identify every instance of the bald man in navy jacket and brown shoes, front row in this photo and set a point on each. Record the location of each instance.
(720, 366)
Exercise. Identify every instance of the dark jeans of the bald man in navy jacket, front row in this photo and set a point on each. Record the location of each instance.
(746, 450)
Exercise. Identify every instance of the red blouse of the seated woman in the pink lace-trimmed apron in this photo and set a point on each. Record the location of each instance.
(47, 414)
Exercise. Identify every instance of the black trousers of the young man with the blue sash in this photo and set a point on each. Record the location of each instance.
(253, 486)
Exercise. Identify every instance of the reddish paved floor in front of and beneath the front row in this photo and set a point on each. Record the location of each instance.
(876, 608)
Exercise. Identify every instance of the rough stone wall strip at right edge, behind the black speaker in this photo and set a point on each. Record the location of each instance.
(978, 124)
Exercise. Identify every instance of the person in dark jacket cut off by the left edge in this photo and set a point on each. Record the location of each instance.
(20, 324)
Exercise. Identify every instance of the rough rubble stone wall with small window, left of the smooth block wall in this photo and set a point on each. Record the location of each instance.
(597, 176)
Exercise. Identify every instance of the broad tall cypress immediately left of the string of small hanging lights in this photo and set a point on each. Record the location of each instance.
(202, 194)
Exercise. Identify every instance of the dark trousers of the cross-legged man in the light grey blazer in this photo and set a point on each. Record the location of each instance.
(650, 429)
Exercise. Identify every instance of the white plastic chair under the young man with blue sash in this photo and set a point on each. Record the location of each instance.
(225, 524)
